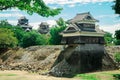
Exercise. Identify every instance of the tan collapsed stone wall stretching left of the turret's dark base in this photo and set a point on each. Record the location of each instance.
(33, 59)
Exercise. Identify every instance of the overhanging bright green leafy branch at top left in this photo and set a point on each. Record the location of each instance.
(31, 6)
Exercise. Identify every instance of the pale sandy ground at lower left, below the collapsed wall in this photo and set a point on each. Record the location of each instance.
(23, 75)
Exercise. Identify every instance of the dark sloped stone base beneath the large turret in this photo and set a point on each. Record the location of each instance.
(80, 59)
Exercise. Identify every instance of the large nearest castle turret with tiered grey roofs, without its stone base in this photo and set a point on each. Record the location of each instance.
(82, 29)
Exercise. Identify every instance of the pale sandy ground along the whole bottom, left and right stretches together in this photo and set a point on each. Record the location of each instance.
(23, 75)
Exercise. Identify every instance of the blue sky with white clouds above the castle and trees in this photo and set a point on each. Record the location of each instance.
(99, 9)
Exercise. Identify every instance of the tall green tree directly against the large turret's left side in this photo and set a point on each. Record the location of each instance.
(55, 32)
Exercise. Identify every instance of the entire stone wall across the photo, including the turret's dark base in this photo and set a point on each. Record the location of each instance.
(57, 61)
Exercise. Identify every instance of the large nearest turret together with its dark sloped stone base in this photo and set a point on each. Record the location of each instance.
(84, 46)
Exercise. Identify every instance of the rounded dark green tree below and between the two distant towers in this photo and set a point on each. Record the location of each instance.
(33, 38)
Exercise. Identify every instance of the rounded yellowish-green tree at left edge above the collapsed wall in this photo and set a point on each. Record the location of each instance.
(7, 38)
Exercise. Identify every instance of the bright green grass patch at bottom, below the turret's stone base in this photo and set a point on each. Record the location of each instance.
(87, 76)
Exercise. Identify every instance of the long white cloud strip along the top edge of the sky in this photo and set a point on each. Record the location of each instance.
(73, 1)
